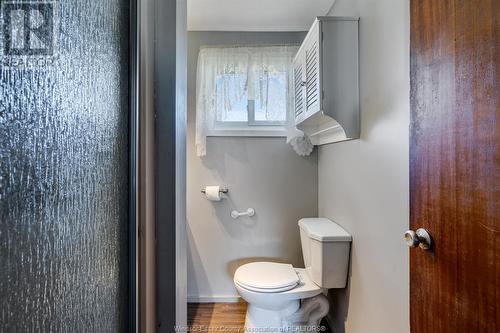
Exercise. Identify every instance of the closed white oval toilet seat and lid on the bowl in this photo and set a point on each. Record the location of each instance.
(266, 277)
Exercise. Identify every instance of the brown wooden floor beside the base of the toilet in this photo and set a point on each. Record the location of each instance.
(221, 317)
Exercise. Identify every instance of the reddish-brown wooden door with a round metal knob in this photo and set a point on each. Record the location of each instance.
(455, 165)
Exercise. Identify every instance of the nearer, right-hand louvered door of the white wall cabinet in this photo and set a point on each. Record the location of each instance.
(312, 72)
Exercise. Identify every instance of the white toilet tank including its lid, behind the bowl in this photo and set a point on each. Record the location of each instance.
(325, 247)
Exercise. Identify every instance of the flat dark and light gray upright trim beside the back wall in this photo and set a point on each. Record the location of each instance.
(170, 164)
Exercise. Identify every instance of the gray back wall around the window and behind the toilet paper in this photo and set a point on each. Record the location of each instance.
(262, 173)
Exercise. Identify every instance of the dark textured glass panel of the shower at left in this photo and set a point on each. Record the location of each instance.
(64, 166)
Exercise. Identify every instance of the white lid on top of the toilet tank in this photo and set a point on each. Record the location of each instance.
(324, 230)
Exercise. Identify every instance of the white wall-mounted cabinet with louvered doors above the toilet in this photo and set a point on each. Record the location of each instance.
(326, 81)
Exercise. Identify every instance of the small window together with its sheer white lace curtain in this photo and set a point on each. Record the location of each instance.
(243, 91)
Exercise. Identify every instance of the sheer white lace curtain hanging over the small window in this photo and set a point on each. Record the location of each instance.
(248, 73)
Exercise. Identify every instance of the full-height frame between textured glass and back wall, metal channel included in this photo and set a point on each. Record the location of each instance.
(159, 86)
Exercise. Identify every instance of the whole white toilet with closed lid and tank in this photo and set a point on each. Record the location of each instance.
(281, 297)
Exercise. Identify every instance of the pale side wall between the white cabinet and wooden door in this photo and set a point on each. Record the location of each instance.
(363, 184)
